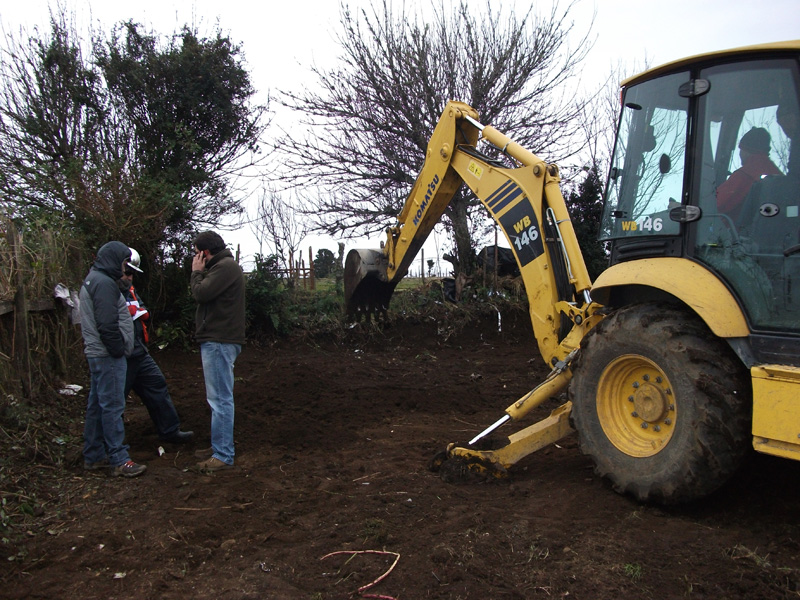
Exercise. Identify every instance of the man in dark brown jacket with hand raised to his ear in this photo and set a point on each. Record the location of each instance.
(217, 284)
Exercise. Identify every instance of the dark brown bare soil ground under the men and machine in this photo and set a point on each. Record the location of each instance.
(333, 443)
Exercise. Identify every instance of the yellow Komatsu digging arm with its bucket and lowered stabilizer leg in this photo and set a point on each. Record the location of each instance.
(526, 201)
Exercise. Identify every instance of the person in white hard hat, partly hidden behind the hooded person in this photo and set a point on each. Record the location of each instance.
(144, 376)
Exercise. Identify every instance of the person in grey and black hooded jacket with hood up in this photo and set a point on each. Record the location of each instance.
(107, 330)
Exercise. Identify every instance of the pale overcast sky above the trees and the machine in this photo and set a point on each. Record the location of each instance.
(281, 39)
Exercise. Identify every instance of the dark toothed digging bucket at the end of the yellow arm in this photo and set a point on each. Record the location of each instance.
(367, 290)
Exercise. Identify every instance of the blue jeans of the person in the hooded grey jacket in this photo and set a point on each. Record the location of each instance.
(104, 430)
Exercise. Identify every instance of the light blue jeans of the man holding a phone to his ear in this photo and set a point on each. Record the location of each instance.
(218, 361)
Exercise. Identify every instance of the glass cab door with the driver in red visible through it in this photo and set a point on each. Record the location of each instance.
(747, 186)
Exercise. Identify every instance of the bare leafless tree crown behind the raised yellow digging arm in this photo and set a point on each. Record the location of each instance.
(369, 119)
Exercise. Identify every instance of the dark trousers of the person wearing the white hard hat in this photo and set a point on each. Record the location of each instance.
(146, 379)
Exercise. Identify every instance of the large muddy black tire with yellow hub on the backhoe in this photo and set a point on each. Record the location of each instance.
(660, 404)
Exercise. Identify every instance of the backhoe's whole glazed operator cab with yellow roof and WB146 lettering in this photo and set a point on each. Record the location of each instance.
(707, 167)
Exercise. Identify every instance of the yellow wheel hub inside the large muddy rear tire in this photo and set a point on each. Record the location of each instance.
(636, 405)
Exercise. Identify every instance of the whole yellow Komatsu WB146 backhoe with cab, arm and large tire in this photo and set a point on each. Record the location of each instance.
(687, 348)
